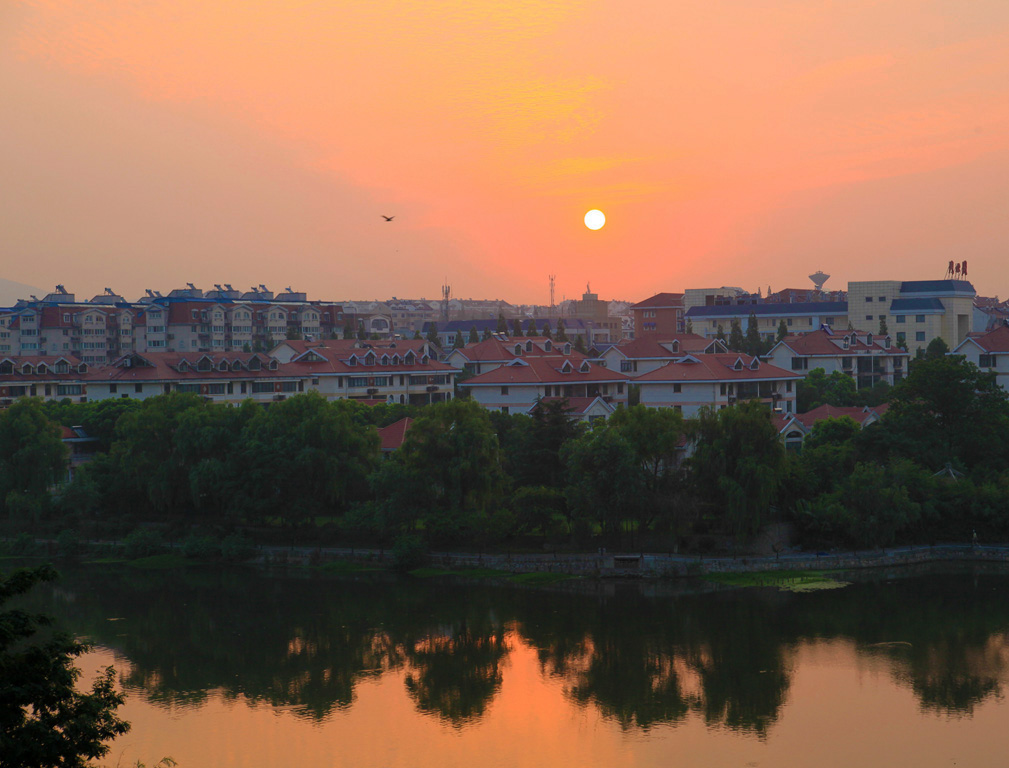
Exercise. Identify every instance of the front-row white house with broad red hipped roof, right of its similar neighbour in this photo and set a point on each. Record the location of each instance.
(717, 381)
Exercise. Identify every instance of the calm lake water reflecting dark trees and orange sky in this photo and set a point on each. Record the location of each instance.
(247, 669)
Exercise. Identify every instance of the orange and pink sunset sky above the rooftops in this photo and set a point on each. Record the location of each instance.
(730, 143)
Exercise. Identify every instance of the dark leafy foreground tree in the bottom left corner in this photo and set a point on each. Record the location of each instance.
(45, 719)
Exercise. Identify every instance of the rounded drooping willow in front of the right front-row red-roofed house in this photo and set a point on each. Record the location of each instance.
(738, 465)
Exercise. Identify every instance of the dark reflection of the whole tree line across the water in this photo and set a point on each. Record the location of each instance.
(308, 643)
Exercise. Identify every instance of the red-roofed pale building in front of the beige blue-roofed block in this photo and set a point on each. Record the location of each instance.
(867, 358)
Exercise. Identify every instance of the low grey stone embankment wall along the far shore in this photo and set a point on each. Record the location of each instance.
(656, 566)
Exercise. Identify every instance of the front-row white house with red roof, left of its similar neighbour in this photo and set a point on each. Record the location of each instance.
(516, 387)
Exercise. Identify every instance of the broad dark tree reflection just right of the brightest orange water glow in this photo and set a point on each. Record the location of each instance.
(643, 670)
